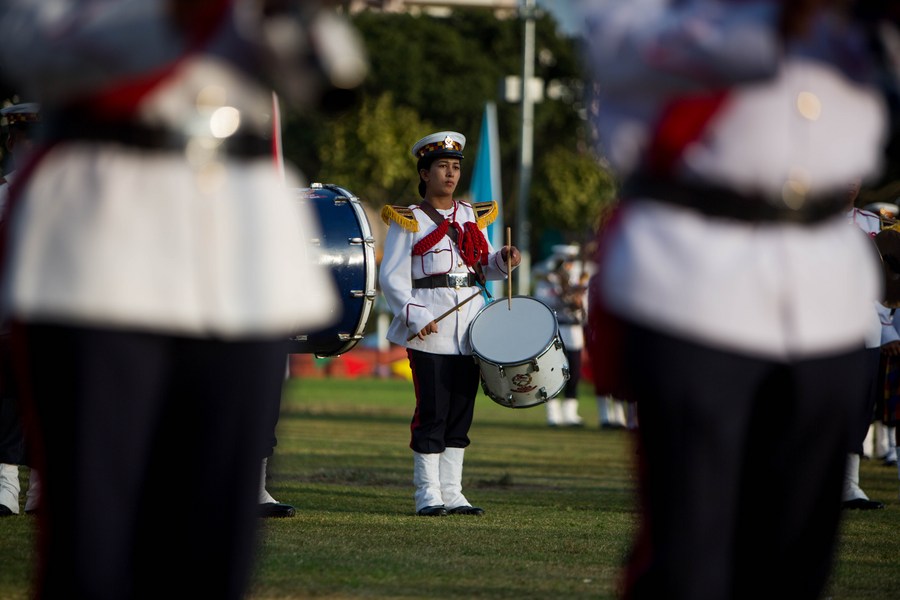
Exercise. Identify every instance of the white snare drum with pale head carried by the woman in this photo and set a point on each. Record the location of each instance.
(518, 350)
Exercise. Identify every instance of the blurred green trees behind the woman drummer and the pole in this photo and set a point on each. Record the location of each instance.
(433, 73)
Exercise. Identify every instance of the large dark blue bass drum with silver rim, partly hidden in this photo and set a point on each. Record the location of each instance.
(347, 249)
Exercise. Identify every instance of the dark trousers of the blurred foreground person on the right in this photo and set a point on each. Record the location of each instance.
(741, 468)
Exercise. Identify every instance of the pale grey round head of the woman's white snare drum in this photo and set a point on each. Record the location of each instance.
(509, 336)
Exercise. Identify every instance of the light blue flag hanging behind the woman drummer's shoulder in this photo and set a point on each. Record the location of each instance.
(485, 185)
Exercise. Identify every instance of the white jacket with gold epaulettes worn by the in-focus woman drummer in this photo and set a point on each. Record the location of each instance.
(413, 309)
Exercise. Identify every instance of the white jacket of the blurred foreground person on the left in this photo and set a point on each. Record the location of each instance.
(193, 240)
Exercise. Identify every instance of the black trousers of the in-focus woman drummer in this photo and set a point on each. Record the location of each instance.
(446, 386)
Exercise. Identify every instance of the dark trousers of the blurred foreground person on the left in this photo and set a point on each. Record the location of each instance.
(149, 448)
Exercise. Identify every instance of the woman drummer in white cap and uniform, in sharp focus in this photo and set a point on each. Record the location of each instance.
(424, 273)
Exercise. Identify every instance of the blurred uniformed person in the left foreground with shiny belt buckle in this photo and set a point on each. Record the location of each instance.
(152, 274)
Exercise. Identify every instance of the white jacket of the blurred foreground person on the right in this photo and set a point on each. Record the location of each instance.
(792, 119)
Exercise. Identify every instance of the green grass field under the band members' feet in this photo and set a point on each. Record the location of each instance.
(559, 502)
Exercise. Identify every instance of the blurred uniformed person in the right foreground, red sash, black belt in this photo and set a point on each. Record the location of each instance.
(730, 282)
